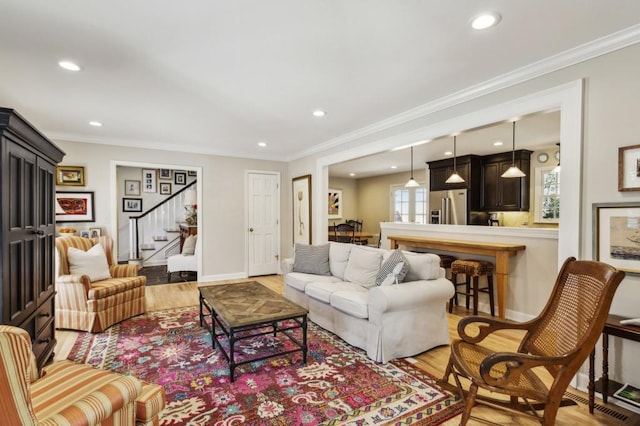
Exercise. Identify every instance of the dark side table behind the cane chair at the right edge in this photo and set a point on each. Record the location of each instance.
(614, 328)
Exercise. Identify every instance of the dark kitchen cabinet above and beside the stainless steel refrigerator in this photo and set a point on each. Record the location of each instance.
(469, 169)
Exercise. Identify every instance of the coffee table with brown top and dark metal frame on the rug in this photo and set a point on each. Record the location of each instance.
(246, 310)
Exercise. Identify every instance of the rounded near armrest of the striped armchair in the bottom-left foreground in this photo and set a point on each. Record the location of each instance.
(107, 400)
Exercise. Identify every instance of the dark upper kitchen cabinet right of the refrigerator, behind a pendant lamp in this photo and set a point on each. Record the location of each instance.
(505, 194)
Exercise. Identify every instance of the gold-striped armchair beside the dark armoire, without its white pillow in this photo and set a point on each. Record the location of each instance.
(95, 306)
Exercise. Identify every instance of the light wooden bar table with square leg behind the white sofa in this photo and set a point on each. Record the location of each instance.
(500, 251)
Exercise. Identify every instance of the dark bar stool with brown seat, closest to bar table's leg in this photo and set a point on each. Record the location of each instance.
(472, 268)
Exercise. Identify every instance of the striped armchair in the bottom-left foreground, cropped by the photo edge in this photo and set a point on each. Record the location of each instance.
(69, 393)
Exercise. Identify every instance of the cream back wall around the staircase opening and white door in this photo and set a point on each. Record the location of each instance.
(223, 229)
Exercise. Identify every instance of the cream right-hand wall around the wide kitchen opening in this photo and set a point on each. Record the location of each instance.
(610, 114)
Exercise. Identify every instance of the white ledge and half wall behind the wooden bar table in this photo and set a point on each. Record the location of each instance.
(531, 272)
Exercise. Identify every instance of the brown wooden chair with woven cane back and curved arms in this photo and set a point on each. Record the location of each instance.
(559, 339)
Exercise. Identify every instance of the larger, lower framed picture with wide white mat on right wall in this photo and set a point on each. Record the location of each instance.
(616, 235)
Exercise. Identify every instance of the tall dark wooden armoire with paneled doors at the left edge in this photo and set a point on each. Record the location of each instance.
(27, 231)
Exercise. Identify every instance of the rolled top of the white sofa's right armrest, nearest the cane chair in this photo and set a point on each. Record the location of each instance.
(410, 295)
